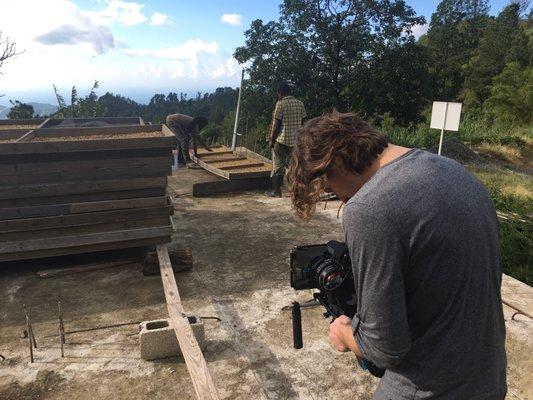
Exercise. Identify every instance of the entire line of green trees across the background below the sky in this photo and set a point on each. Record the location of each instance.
(362, 55)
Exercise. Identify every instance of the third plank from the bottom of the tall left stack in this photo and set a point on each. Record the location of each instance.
(102, 227)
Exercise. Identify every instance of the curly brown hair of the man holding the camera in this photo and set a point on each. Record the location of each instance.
(341, 137)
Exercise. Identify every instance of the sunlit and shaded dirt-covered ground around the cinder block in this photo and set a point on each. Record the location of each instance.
(240, 244)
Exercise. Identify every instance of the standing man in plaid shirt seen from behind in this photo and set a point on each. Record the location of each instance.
(288, 118)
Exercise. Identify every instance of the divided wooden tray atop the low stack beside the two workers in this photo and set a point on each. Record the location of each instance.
(239, 164)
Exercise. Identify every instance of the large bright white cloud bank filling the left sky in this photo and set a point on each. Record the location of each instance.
(68, 45)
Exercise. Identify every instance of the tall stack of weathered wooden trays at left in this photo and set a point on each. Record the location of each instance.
(83, 189)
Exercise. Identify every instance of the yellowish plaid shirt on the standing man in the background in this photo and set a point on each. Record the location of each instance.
(290, 111)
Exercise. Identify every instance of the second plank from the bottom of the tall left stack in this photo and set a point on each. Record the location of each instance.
(84, 240)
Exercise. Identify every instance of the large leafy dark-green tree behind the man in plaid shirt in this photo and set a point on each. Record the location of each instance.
(329, 50)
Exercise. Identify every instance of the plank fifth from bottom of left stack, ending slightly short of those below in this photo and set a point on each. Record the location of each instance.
(77, 208)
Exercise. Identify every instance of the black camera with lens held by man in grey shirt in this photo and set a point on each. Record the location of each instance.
(328, 268)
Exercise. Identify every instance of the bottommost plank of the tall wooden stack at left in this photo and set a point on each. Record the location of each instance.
(28, 255)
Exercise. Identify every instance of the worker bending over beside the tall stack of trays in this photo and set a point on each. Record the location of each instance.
(186, 128)
